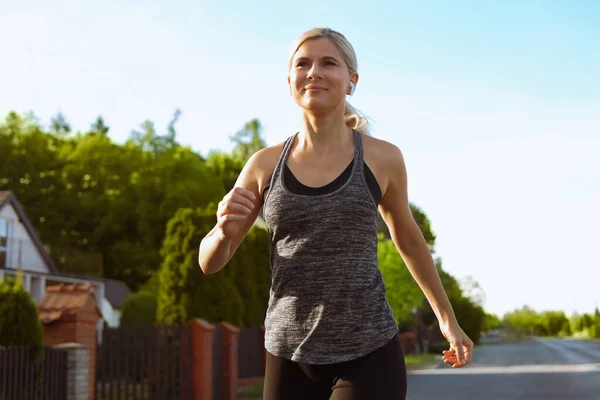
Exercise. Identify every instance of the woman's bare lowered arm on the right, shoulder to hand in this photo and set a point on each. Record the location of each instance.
(411, 245)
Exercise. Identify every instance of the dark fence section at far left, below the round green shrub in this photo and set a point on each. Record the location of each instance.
(23, 377)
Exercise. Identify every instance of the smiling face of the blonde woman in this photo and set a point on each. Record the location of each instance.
(319, 78)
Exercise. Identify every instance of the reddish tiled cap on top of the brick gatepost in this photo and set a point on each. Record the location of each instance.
(62, 300)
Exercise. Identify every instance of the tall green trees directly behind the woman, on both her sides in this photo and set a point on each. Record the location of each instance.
(136, 212)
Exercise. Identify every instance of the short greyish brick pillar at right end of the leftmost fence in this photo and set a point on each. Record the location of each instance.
(77, 370)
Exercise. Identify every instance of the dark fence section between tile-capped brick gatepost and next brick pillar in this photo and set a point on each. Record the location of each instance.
(149, 362)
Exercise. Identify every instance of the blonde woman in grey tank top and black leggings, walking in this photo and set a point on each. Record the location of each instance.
(329, 331)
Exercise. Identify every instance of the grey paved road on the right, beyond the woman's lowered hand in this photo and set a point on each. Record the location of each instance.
(538, 369)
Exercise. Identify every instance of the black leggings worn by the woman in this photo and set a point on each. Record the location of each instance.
(380, 375)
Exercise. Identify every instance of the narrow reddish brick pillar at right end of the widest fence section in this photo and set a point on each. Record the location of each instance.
(202, 339)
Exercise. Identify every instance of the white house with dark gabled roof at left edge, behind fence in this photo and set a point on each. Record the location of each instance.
(21, 249)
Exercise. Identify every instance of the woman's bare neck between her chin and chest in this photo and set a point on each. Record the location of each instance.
(324, 134)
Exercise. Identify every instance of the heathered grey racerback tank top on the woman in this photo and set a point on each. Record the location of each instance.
(327, 300)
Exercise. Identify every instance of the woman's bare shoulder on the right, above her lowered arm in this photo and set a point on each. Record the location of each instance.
(385, 159)
